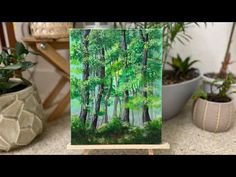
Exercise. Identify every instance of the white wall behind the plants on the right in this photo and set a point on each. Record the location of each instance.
(208, 45)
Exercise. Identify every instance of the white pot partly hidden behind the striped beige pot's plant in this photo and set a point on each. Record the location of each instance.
(207, 87)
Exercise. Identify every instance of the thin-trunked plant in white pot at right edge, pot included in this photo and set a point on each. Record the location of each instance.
(208, 78)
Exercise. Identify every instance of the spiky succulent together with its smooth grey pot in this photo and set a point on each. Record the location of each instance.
(179, 83)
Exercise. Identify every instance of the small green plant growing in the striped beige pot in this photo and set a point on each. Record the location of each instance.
(223, 91)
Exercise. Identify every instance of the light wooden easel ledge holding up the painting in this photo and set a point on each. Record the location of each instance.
(149, 147)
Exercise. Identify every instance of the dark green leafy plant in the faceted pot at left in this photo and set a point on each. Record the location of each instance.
(12, 61)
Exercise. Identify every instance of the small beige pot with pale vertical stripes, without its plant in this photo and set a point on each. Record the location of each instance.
(213, 116)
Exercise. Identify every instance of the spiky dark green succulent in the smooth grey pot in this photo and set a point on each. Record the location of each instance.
(181, 66)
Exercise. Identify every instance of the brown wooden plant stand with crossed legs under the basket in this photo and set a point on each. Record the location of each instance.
(47, 48)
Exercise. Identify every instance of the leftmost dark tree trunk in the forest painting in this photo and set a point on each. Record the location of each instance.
(85, 97)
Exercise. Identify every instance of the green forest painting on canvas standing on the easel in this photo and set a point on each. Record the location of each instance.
(116, 83)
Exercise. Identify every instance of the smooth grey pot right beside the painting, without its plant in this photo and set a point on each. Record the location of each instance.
(175, 96)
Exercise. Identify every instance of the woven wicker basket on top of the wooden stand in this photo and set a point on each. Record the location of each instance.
(50, 30)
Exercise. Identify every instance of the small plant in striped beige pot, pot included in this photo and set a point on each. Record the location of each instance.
(214, 111)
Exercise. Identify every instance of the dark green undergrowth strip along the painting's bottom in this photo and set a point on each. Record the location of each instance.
(115, 131)
